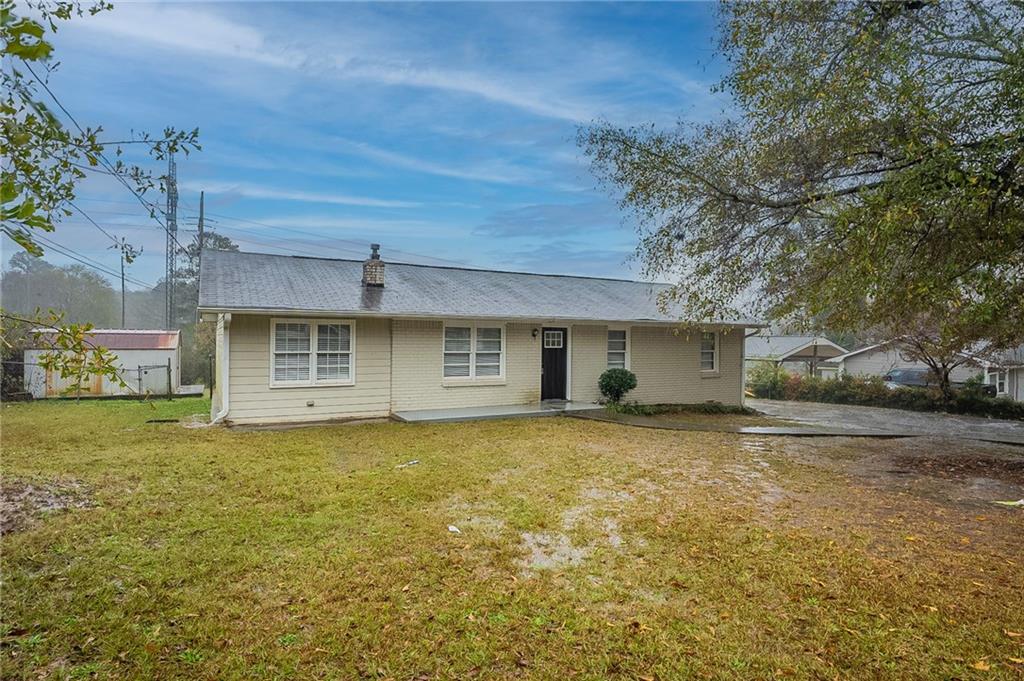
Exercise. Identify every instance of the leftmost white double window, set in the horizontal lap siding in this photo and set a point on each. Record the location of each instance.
(310, 353)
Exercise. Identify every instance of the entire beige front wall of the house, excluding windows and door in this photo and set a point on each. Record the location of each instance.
(399, 368)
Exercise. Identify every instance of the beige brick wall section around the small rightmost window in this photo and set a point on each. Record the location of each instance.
(668, 367)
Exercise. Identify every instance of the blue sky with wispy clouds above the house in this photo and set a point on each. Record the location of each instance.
(446, 133)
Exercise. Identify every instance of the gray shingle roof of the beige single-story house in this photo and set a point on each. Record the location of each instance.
(237, 281)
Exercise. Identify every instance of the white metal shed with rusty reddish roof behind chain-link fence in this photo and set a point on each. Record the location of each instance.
(143, 360)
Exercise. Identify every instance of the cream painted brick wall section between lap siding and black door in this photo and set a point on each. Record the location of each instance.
(416, 373)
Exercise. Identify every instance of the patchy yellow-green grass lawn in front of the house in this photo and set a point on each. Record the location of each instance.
(586, 550)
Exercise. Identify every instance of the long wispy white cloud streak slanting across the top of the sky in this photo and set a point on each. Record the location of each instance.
(370, 57)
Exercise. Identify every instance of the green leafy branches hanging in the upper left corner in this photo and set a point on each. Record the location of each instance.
(45, 158)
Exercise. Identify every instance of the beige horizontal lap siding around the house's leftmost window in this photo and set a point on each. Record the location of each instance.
(253, 400)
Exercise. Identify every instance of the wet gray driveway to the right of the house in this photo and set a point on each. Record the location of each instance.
(861, 419)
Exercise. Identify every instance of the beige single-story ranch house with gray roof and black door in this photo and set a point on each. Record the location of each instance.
(308, 339)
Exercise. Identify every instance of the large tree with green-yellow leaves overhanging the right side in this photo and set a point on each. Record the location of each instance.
(872, 175)
